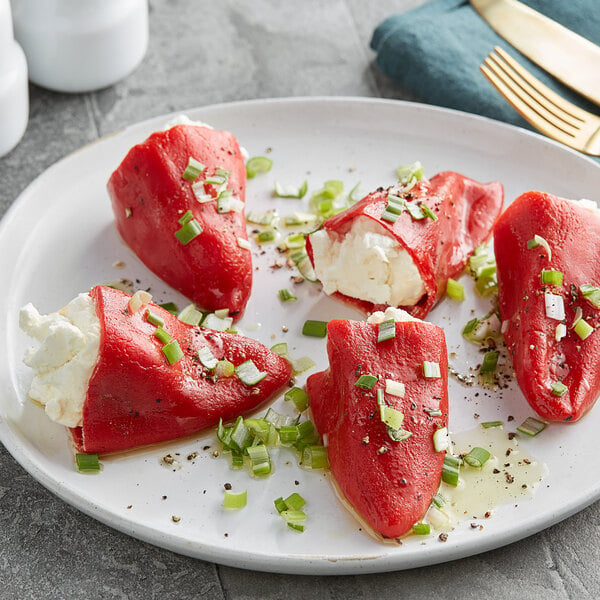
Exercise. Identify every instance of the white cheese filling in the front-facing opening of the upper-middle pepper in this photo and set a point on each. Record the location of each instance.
(366, 263)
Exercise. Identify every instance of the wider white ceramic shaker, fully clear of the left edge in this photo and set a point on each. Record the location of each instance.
(81, 45)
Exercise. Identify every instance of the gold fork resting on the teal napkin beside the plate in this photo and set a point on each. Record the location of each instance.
(544, 109)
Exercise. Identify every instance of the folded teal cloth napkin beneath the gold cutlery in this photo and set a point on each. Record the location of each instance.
(435, 51)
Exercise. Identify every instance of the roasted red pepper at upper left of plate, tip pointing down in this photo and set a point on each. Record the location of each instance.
(150, 196)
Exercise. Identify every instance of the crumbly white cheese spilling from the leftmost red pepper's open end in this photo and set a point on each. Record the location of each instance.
(65, 359)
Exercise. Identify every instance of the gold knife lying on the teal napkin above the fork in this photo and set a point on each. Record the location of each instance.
(569, 57)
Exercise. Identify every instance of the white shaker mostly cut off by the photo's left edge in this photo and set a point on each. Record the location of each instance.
(14, 92)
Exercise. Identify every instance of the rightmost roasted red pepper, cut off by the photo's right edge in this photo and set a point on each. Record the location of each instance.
(544, 364)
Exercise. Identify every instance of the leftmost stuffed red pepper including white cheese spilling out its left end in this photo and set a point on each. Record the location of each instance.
(121, 373)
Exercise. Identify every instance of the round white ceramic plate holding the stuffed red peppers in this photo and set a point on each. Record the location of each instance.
(58, 239)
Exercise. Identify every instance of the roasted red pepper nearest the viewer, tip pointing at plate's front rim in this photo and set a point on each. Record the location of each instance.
(389, 483)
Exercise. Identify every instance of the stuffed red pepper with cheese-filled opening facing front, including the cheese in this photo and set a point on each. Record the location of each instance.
(398, 247)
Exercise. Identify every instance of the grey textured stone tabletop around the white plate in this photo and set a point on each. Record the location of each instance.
(202, 53)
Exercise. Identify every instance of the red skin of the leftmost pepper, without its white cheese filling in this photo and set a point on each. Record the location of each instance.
(135, 397)
